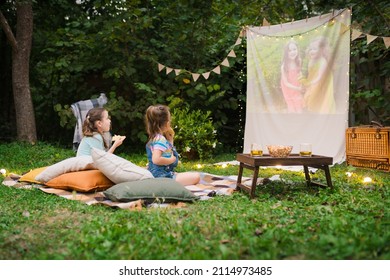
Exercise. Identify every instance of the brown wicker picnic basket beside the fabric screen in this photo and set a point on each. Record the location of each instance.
(368, 146)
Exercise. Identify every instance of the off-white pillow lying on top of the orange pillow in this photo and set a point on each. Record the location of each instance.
(67, 165)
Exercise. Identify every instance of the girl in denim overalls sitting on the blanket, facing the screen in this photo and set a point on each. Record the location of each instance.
(162, 156)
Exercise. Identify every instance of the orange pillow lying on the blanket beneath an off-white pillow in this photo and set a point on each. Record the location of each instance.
(82, 181)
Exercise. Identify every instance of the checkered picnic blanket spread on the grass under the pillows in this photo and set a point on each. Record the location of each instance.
(209, 186)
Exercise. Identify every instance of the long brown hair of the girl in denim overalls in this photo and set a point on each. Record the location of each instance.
(156, 118)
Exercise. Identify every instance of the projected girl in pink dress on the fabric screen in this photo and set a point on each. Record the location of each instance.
(290, 73)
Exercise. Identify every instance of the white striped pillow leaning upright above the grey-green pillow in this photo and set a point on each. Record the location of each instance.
(118, 169)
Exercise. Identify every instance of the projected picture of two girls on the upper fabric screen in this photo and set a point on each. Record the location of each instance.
(299, 68)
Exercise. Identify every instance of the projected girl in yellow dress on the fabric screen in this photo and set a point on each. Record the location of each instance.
(319, 93)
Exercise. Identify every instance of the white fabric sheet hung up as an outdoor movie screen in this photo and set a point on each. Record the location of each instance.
(292, 100)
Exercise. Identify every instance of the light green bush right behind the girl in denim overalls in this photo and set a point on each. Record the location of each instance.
(194, 133)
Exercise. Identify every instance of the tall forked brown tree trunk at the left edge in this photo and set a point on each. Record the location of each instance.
(21, 49)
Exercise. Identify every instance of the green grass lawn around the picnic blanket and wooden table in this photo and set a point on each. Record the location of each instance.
(287, 220)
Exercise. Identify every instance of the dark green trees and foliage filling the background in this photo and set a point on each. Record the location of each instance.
(80, 50)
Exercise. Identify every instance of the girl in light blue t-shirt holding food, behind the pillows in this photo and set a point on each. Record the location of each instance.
(97, 122)
